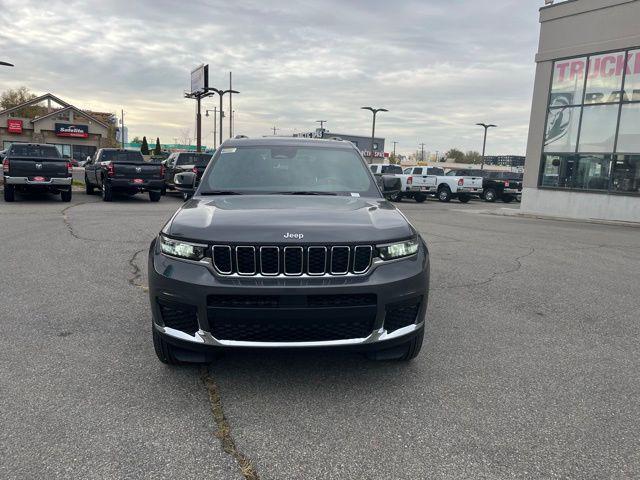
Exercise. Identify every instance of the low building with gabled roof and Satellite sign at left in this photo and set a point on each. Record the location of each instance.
(47, 119)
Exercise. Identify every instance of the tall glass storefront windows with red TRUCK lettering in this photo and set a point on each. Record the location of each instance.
(592, 136)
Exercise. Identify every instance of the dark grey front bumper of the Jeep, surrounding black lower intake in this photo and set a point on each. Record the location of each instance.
(190, 283)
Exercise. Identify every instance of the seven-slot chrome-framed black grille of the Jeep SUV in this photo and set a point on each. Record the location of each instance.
(272, 260)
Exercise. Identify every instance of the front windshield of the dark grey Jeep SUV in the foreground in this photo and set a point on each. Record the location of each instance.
(287, 169)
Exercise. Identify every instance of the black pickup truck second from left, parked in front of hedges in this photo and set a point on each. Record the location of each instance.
(115, 170)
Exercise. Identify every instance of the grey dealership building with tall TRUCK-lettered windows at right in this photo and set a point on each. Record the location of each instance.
(583, 153)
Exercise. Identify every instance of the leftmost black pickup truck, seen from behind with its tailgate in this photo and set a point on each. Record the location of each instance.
(30, 167)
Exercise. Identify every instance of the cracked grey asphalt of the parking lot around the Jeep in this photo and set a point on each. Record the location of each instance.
(530, 367)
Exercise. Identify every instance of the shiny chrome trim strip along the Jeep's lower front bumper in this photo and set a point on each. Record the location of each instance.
(205, 338)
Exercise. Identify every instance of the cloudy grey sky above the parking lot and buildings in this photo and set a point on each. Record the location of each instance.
(439, 66)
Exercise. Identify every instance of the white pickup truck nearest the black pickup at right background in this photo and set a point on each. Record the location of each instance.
(433, 181)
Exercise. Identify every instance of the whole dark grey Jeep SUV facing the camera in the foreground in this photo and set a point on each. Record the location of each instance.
(287, 243)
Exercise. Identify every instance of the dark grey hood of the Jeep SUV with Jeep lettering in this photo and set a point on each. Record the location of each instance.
(267, 219)
